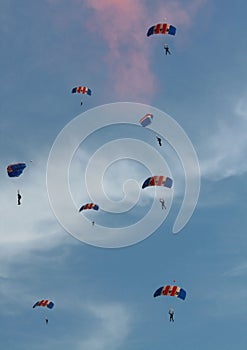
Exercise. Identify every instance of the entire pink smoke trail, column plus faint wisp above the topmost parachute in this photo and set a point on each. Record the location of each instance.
(123, 26)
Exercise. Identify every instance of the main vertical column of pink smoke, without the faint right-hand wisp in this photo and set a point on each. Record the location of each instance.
(123, 28)
